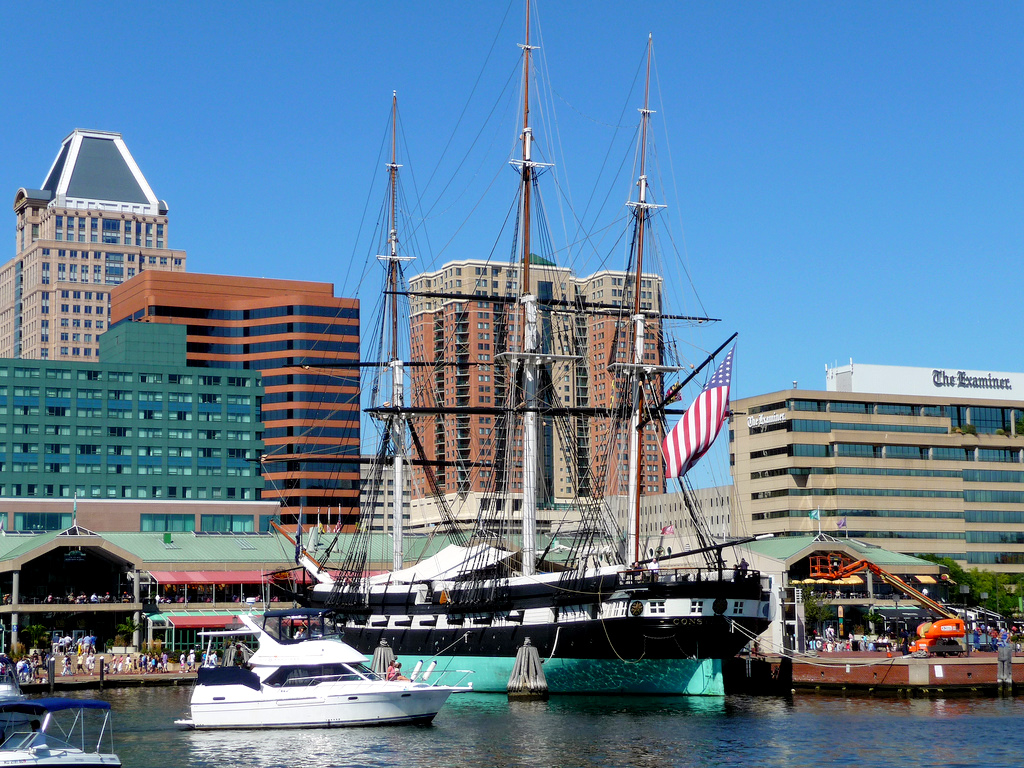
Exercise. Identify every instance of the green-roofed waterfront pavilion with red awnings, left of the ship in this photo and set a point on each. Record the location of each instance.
(78, 582)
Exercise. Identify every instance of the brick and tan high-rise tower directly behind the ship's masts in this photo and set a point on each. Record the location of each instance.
(587, 320)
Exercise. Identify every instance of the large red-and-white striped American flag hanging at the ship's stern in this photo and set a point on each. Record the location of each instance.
(696, 433)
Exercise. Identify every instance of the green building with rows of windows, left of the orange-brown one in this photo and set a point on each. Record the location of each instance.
(139, 425)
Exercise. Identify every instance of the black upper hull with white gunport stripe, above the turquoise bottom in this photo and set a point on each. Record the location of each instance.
(612, 617)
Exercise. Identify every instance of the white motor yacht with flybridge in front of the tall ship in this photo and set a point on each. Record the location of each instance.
(304, 675)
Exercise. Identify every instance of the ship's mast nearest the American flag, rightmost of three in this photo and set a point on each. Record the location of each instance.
(642, 210)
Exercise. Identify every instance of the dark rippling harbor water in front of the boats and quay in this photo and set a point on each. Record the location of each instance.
(599, 733)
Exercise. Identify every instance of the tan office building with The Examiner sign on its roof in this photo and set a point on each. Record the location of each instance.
(920, 461)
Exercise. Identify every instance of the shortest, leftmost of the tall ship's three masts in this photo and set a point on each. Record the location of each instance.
(398, 417)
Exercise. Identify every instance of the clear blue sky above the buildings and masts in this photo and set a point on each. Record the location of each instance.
(848, 178)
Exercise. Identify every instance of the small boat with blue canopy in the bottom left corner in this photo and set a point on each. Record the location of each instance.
(54, 733)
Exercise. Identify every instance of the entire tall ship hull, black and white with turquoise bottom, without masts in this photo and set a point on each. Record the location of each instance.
(618, 633)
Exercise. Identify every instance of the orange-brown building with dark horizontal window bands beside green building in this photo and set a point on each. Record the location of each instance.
(298, 335)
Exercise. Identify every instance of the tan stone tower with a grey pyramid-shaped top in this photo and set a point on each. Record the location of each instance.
(95, 224)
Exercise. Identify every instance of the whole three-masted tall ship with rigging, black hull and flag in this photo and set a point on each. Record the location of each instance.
(606, 613)
